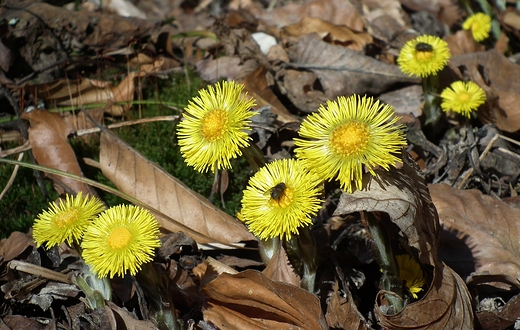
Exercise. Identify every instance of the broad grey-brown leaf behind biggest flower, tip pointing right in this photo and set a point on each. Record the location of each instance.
(338, 70)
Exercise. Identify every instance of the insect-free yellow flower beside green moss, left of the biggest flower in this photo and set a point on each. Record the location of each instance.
(214, 126)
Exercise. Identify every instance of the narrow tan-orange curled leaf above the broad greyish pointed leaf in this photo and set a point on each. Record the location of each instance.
(335, 34)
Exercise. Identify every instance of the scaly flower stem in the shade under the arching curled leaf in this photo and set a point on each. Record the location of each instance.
(390, 280)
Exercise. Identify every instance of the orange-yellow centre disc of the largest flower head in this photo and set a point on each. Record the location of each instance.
(350, 138)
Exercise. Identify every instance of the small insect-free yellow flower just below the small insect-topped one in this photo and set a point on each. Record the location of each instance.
(462, 97)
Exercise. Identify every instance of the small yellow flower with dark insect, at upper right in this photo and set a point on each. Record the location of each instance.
(424, 56)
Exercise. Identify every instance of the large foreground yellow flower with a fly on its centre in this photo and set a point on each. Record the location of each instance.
(280, 197)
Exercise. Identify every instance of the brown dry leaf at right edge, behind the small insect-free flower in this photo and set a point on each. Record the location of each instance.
(498, 77)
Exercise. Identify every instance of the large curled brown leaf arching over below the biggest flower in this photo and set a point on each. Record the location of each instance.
(403, 195)
